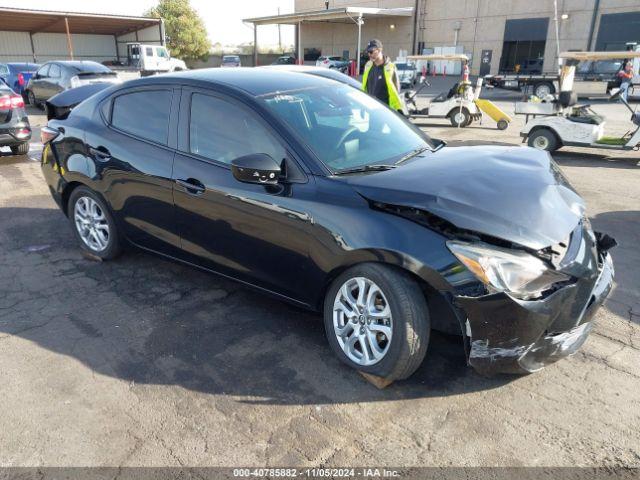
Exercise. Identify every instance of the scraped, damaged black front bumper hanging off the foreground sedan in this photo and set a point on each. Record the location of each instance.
(508, 335)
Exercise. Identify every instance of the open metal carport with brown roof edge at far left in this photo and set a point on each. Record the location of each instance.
(21, 22)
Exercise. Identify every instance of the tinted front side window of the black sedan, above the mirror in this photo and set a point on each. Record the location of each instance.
(222, 131)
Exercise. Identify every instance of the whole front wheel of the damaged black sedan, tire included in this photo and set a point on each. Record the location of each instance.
(408, 322)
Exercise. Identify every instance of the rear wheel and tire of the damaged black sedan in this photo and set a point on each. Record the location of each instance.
(111, 244)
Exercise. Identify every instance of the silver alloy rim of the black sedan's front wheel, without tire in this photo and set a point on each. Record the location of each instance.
(362, 321)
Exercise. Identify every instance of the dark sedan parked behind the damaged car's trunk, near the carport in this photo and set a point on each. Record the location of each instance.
(55, 77)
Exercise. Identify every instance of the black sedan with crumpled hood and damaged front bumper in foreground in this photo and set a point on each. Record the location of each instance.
(312, 191)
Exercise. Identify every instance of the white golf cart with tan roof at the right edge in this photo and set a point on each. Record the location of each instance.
(560, 122)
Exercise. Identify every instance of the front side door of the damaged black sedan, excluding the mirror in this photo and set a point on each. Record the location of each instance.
(255, 233)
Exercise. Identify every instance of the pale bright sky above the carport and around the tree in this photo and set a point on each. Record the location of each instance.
(223, 18)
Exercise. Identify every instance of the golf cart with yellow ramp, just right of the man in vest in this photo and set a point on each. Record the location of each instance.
(460, 104)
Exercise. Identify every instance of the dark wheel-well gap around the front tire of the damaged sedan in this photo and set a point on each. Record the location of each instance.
(441, 312)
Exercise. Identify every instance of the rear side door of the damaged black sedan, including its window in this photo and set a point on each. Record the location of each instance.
(133, 151)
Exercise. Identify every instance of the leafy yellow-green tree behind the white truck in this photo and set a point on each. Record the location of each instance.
(187, 35)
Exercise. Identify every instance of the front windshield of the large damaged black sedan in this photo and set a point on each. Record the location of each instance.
(346, 128)
